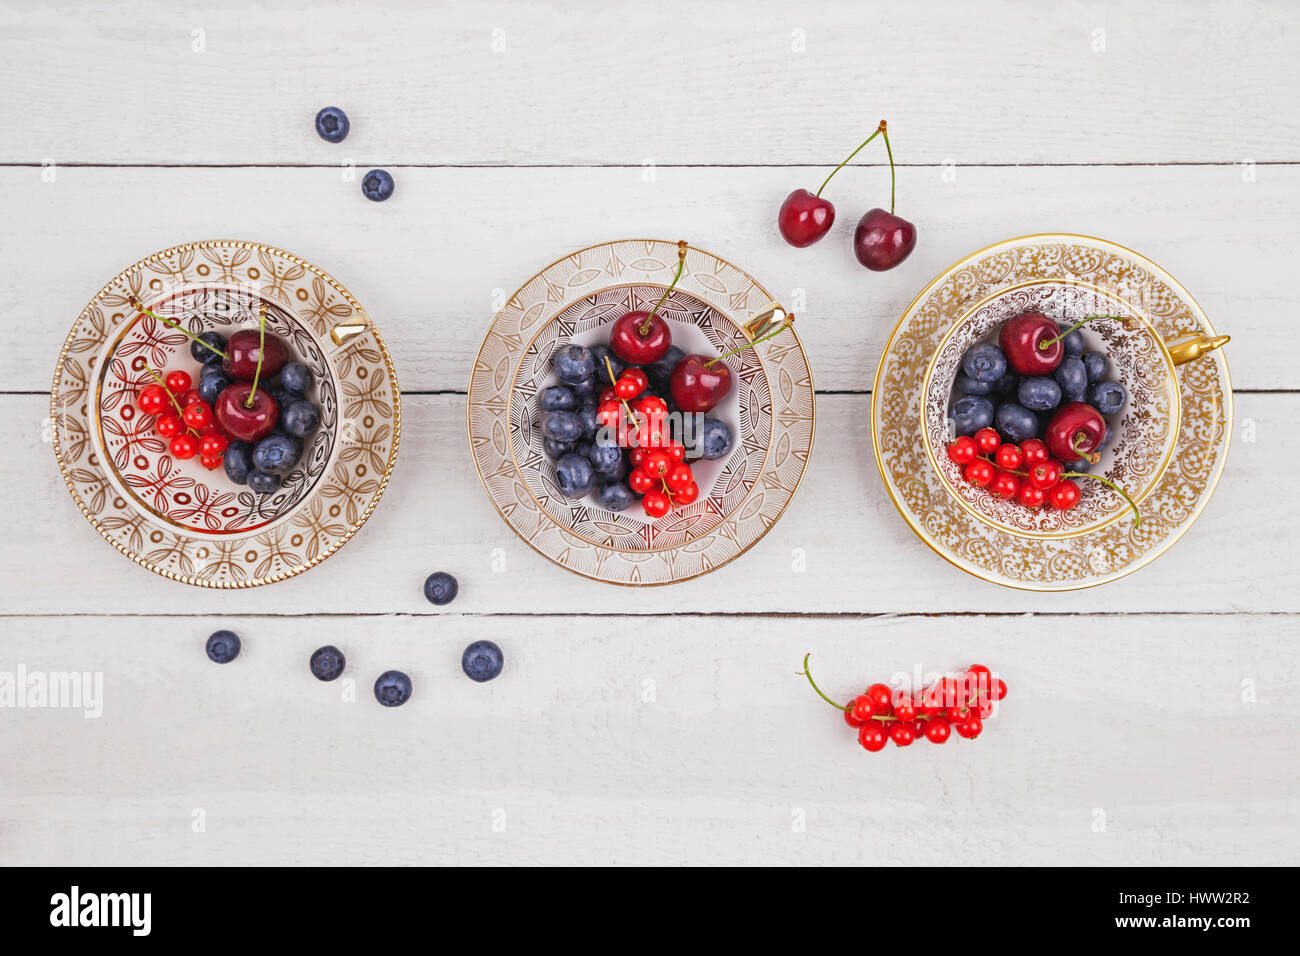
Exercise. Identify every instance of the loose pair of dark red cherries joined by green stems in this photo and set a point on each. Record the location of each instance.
(882, 240)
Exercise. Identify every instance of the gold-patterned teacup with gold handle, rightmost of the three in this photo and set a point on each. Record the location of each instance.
(1143, 435)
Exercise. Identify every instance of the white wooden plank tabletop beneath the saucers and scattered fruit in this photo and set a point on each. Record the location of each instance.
(1150, 721)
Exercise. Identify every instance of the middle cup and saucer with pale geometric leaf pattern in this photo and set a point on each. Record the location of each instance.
(772, 413)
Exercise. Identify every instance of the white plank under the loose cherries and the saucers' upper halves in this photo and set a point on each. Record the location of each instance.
(430, 263)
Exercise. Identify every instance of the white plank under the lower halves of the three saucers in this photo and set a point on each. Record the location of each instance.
(861, 557)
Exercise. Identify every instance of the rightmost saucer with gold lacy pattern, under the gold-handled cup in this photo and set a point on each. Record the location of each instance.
(1059, 564)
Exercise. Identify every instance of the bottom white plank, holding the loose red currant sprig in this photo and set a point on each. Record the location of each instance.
(691, 741)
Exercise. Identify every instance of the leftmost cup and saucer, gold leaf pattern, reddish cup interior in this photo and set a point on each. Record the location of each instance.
(175, 517)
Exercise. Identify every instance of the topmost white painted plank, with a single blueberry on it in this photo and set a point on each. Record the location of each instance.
(677, 83)
